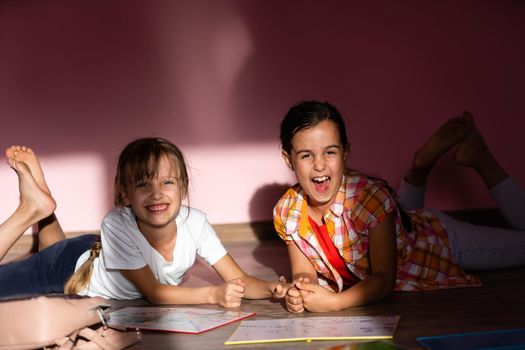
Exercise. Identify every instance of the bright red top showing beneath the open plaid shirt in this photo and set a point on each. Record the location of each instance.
(332, 253)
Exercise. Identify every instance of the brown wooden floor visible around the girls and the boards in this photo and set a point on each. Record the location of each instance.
(499, 304)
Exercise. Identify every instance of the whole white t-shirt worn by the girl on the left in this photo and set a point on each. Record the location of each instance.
(124, 247)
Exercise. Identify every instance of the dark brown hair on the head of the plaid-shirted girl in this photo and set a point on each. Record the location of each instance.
(308, 114)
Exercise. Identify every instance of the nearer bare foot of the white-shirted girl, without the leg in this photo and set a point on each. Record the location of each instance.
(35, 203)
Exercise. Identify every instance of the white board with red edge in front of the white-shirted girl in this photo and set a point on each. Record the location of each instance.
(174, 319)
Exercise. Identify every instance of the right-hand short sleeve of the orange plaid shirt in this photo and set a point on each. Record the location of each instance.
(372, 207)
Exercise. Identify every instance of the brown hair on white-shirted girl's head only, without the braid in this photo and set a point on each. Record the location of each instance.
(140, 159)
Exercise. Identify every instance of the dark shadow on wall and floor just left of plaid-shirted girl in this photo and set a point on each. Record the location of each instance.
(264, 199)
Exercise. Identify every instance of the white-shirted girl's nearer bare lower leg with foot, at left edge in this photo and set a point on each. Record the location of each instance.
(35, 204)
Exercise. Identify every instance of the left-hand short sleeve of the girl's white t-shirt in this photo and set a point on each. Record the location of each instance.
(119, 234)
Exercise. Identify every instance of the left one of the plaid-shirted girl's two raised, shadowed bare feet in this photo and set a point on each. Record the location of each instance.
(450, 134)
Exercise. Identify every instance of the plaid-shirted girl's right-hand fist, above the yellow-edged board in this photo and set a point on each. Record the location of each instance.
(316, 298)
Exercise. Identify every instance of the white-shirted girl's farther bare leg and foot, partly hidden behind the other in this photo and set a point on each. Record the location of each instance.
(49, 228)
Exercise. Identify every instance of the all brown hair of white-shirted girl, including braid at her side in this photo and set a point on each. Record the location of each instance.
(139, 160)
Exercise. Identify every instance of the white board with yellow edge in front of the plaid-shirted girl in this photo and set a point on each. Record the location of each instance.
(314, 328)
